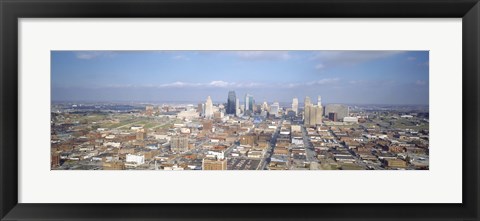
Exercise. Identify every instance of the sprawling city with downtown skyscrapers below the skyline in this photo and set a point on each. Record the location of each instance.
(238, 136)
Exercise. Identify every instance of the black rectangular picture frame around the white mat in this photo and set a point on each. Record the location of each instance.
(12, 10)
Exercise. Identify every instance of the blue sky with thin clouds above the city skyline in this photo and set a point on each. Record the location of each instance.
(352, 77)
